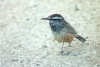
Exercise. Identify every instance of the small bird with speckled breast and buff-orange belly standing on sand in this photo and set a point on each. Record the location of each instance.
(62, 30)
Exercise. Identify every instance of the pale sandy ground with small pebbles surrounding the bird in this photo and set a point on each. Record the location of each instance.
(27, 41)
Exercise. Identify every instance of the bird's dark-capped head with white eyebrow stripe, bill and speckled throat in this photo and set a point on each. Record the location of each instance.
(56, 21)
